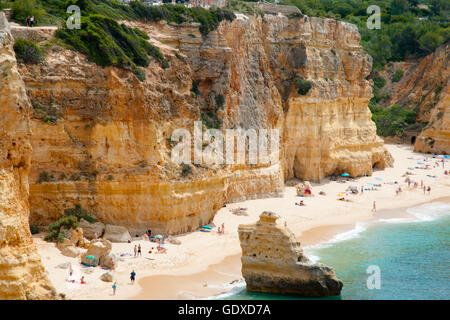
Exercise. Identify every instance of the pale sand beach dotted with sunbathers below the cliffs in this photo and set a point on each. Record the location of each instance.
(205, 263)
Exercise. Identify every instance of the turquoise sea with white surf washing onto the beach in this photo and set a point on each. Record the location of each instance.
(413, 257)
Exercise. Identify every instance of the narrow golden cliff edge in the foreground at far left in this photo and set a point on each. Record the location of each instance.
(21, 274)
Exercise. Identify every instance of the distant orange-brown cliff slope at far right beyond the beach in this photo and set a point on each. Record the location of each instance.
(424, 88)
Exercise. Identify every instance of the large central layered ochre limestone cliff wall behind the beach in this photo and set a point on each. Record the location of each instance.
(101, 137)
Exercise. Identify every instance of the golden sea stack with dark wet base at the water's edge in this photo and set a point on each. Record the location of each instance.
(272, 261)
